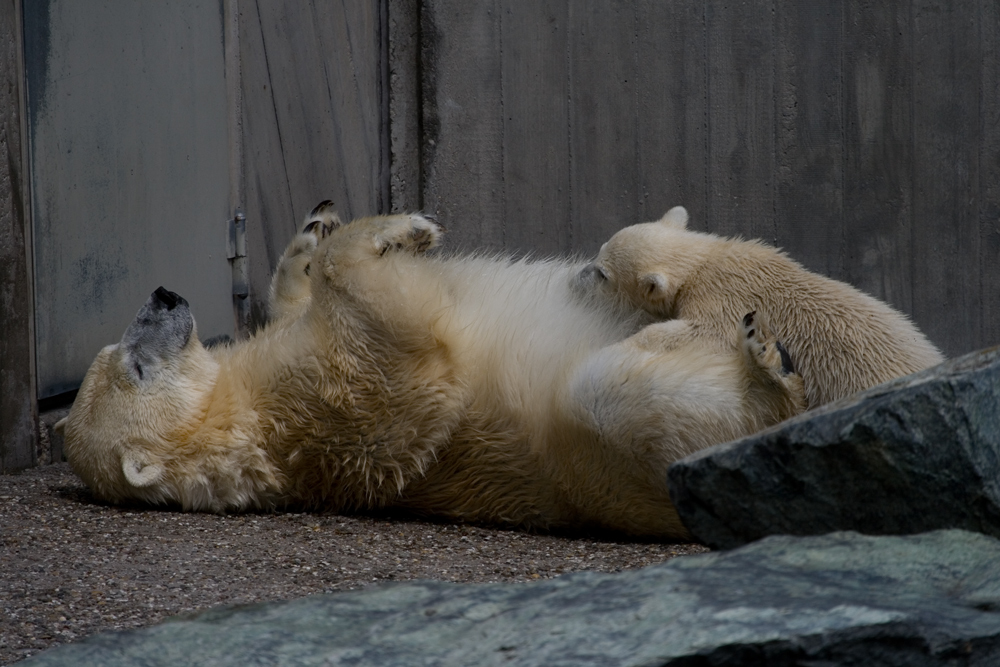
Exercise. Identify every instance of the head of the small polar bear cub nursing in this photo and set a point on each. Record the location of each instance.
(646, 264)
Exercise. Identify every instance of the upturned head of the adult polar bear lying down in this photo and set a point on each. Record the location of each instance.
(136, 397)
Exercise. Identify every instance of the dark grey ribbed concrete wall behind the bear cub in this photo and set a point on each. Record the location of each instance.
(862, 137)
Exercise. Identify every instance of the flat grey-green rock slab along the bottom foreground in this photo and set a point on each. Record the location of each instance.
(840, 599)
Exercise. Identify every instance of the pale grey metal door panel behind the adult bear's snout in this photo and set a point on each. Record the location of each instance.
(129, 146)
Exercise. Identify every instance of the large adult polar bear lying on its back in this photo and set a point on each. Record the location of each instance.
(469, 388)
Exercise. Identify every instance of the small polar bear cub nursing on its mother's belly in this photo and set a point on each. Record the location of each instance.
(841, 340)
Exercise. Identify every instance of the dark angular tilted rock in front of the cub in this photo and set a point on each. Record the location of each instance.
(916, 454)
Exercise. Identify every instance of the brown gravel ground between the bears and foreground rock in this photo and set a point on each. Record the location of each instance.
(71, 566)
